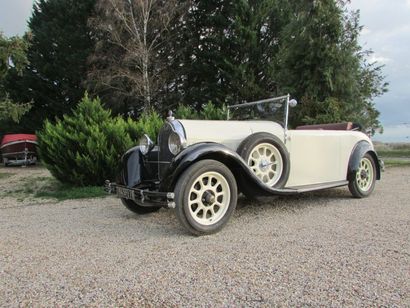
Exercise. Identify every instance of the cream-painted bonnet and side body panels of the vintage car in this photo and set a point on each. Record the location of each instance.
(316, 156)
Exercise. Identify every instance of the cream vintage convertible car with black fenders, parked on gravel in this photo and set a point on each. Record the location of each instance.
(199, 167)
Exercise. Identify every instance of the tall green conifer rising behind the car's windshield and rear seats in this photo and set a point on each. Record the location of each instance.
(322, 64)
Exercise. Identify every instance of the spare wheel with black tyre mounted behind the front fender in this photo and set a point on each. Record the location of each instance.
(267, 157)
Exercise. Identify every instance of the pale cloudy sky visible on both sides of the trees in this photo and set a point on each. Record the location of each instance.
(386, 31)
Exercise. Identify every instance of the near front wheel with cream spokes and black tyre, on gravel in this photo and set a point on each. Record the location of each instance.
(205, 196)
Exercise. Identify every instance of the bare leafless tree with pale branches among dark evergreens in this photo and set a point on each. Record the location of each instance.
(127, 63)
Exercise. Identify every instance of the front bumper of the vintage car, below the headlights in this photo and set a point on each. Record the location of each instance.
(143, 197)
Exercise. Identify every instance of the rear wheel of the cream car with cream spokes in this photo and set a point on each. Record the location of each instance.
(362, 184)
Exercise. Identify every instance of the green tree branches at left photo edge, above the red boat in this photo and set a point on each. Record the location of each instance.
(12, 57)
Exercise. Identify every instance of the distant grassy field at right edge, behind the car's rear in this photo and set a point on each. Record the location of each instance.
(394, 154)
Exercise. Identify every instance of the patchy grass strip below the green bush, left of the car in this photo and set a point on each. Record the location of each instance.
(50, 188)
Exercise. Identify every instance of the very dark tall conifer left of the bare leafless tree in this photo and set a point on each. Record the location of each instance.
(60, 46)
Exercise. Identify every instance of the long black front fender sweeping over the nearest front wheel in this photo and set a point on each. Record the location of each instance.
(221, 153)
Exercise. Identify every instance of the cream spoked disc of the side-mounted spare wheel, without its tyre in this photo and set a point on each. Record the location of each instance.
(266, 163)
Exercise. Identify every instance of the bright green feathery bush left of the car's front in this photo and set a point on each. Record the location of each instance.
(85, 148)
